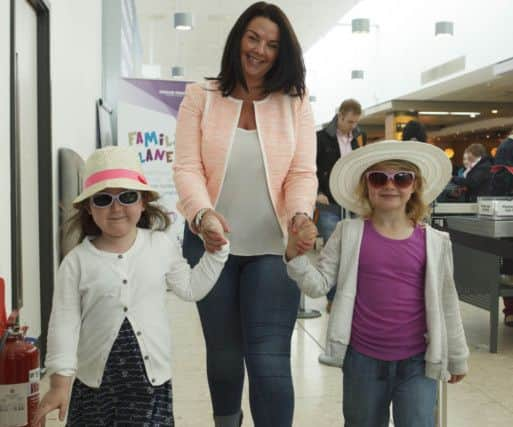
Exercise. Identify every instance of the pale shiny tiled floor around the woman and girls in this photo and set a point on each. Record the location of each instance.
(483, 399)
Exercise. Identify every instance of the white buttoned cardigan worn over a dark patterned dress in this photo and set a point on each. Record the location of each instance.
(95, 290)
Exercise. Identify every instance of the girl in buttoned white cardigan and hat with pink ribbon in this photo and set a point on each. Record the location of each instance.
(109, 326)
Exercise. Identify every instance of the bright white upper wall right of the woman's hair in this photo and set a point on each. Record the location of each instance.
(402, 46)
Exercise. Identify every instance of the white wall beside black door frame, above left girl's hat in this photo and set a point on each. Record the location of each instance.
(76, 61)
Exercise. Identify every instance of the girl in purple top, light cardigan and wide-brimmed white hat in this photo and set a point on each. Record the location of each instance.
(395, 325)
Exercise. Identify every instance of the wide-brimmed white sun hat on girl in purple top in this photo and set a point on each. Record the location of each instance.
(435, 166)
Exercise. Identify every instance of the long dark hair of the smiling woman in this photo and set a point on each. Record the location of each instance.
(288, 72)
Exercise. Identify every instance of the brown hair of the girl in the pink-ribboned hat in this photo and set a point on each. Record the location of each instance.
(81, 224)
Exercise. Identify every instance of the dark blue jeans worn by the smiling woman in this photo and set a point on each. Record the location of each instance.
(248, 317)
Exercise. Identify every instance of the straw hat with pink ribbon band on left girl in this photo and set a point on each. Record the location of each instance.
(114, 167)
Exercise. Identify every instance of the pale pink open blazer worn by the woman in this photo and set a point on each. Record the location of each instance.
(204, 134)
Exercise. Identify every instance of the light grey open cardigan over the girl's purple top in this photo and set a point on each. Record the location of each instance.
(447, 351)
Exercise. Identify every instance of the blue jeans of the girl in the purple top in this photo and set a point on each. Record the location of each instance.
(370, 385)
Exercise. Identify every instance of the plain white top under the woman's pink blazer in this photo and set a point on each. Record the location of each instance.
(245, 201)
